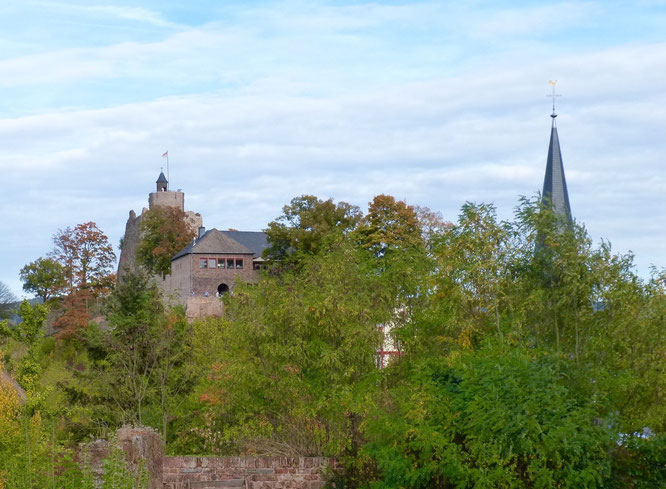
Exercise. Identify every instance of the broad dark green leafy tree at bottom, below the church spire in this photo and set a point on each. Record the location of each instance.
(499, 417)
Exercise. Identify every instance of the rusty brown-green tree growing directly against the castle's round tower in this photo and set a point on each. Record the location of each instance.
(164, 232)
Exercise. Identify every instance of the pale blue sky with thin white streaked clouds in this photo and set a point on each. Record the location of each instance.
(257, 102)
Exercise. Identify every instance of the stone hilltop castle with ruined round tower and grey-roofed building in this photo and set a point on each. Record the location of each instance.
(207, 267)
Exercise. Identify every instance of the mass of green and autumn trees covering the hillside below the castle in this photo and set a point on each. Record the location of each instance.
(529, 357)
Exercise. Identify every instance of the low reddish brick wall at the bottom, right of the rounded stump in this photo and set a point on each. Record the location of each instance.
(245, 472)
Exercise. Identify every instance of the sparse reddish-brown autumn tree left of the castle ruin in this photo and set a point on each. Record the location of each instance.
(86, 256)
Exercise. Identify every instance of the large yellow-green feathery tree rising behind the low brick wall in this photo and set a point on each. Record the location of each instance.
(296, 354)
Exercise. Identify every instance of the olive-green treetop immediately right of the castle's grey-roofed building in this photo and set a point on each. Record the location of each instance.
(308, 225)
